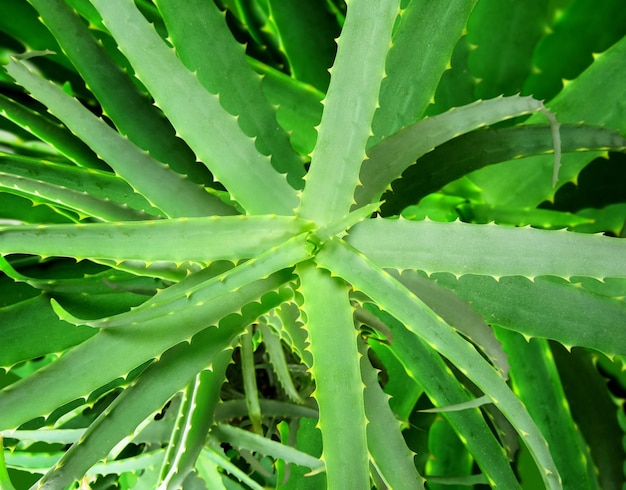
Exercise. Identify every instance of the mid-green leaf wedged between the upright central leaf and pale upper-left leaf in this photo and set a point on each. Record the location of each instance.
(200, 24)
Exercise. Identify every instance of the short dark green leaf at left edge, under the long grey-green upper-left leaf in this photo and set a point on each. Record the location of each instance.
(50, 132)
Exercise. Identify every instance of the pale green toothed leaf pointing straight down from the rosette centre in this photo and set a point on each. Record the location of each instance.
(339, 389)
